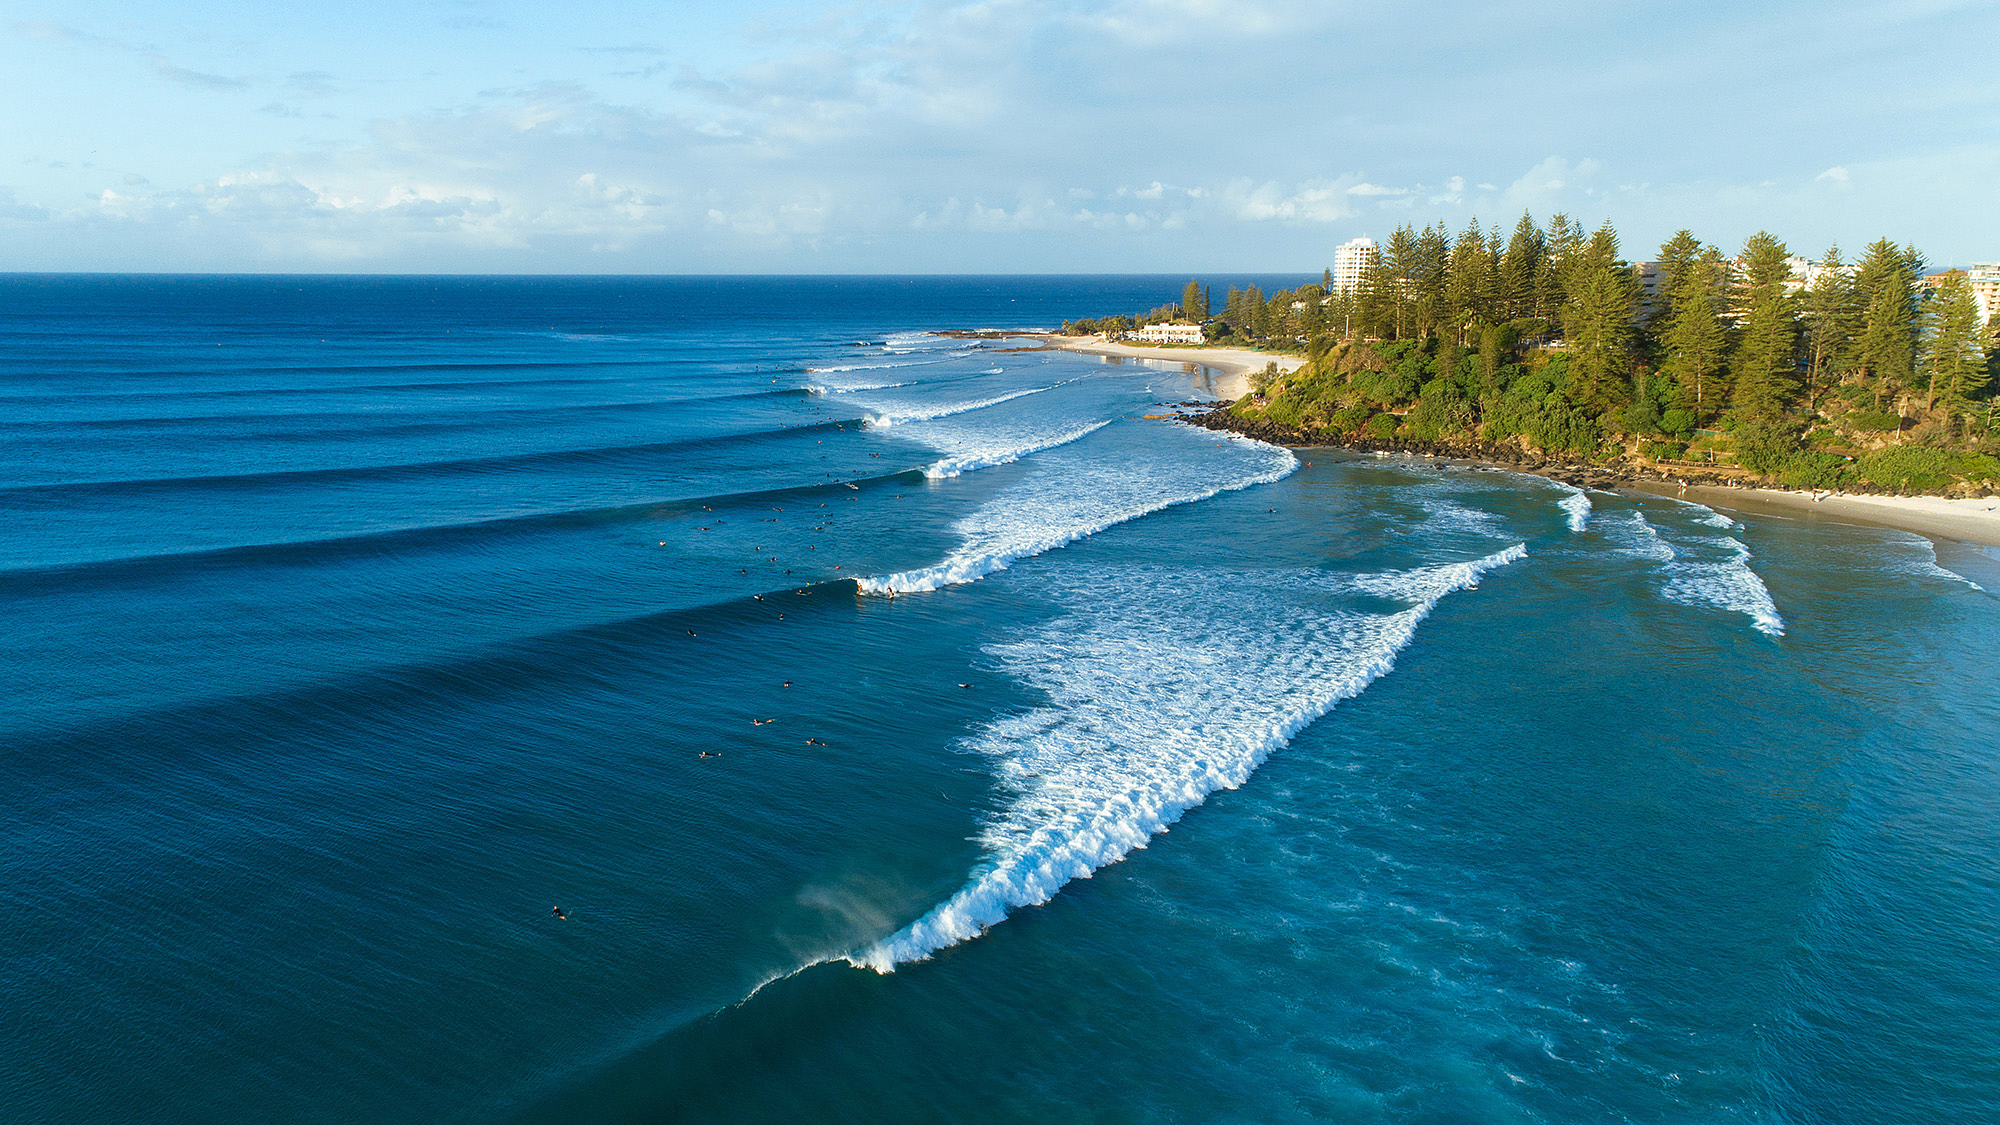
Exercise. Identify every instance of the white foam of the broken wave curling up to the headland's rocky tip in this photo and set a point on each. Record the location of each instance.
(1061, 511)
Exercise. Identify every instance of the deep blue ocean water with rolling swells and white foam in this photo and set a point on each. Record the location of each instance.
(917, 732)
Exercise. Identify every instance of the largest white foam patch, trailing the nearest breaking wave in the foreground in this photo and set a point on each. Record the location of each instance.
(1159, 698)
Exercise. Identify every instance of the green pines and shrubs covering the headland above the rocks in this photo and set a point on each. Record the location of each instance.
(1547, 339)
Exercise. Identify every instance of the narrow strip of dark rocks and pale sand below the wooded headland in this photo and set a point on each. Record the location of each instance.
(1963, 519)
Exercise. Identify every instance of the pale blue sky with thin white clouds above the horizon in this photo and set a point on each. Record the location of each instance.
(973, 137)
